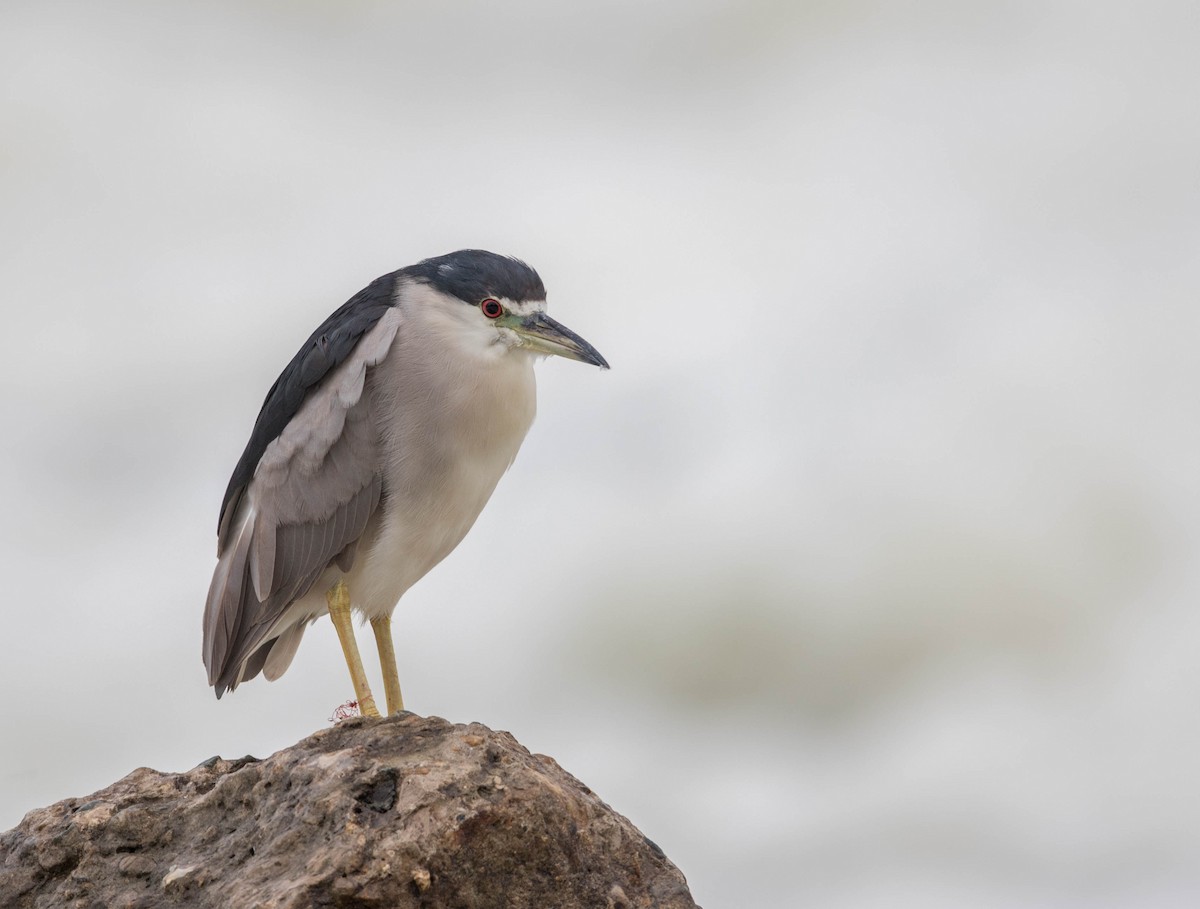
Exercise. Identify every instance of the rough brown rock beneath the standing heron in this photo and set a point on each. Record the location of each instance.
(399, 812)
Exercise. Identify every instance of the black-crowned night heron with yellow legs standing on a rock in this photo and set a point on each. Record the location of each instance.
(373, 456)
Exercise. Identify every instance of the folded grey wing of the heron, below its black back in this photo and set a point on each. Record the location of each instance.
(314, 491)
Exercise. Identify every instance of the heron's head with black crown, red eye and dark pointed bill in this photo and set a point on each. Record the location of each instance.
(507, 304)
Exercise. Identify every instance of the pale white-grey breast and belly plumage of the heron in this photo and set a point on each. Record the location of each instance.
(464, 406)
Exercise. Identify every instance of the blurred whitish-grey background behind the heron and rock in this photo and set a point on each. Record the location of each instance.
(867, 576)
